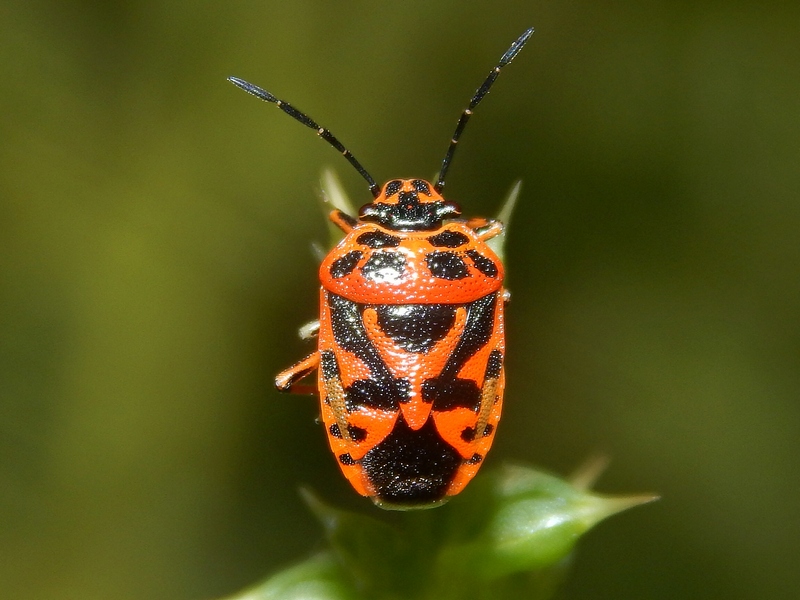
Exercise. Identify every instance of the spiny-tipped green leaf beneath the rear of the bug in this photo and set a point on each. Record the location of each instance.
(510, 534)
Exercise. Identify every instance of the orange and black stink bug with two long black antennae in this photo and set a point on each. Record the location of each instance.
(410, 341)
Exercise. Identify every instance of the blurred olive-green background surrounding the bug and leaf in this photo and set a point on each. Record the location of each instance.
(155, 266)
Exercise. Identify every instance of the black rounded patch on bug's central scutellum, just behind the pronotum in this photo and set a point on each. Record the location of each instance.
(416, 327)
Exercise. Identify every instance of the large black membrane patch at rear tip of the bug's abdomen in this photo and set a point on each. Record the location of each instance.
(411, 467)
